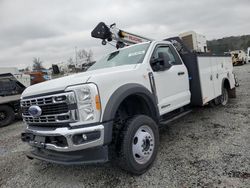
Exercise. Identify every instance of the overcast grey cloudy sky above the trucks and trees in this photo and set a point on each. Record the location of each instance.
(53, 30)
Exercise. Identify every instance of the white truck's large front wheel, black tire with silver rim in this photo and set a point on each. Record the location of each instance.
(126, 158)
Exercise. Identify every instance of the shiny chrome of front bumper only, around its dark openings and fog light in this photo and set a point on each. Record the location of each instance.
(68, 134)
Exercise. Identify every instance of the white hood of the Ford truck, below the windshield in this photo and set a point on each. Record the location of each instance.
(61, 84)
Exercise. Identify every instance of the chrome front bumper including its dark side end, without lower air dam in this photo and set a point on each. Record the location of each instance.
(67, 139)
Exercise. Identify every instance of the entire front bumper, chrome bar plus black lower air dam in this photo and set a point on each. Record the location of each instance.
(46, 143)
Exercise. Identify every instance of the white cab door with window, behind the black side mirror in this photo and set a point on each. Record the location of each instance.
(171, 85)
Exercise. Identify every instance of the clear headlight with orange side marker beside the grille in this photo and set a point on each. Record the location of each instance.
(88, 103)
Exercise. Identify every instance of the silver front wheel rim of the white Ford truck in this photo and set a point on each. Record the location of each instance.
(143, 144)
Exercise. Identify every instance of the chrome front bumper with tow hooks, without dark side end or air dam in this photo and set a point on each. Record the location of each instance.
(33, 137)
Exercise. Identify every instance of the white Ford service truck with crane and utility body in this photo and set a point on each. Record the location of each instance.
(112, 112)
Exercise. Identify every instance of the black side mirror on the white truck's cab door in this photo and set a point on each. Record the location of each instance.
(161, 63)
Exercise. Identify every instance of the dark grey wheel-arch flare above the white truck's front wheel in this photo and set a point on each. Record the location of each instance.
(124, 91)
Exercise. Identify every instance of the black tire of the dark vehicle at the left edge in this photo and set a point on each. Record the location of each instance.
(7, 115)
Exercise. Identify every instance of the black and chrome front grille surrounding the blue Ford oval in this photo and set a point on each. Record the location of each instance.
(55, 109)
